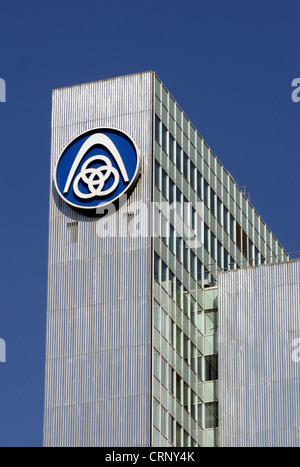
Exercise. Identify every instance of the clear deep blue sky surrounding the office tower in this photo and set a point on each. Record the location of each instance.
(229, 64)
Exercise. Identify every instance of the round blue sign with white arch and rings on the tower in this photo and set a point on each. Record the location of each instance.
(96, 168)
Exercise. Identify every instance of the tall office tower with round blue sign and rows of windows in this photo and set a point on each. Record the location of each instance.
(132, 318)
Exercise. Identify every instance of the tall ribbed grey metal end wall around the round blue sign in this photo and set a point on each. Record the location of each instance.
(98, 350)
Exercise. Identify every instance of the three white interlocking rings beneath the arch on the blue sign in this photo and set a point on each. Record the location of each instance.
(95, 178)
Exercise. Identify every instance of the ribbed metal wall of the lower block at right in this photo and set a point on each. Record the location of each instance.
(259, 380)
